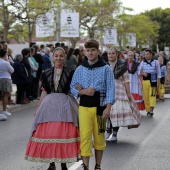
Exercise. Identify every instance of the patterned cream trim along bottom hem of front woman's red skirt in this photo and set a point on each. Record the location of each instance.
(50, 160)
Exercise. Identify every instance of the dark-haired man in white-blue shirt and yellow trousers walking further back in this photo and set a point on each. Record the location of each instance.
(150, 70)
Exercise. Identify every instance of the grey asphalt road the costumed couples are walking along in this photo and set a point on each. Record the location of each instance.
(144, 148)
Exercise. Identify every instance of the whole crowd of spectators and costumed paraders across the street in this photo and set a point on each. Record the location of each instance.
(82, 92)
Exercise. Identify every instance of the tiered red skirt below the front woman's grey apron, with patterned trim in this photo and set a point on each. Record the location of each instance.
(54, 142)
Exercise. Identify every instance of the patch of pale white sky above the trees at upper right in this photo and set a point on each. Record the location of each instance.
(143, 5)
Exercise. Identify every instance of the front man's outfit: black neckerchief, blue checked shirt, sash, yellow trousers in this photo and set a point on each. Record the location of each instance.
(99, 76)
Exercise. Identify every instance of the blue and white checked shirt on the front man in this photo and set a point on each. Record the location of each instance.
(100, 78)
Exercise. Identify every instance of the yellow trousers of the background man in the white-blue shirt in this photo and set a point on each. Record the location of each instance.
(149, 94)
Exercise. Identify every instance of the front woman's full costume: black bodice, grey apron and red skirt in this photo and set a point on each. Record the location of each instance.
(55, 134)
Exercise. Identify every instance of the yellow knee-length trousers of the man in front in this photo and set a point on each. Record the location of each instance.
(88, 126)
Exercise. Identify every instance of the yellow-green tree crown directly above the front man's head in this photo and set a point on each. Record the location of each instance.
(94, 15)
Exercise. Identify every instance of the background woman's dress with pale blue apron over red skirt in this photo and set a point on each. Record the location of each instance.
(135, 84)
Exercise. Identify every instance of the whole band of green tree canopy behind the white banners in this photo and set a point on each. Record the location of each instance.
(151, 27)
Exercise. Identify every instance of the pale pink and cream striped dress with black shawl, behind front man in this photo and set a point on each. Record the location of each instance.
(124, 113)
